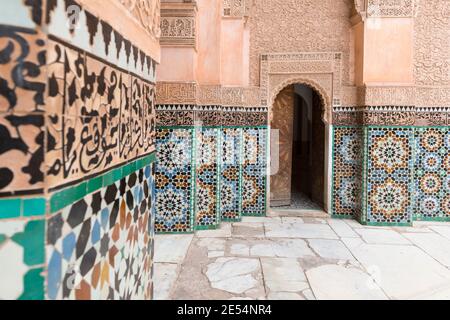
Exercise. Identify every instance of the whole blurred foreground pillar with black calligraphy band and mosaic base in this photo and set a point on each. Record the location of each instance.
(77, 152)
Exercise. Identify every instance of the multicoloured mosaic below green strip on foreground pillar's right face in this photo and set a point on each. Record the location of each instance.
(101, 246)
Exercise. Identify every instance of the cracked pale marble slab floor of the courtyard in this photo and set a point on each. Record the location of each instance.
(285, 257)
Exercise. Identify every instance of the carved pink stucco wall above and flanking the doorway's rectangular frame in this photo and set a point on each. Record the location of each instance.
(300, 26)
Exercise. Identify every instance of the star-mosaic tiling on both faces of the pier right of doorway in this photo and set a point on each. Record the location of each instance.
(372, 174)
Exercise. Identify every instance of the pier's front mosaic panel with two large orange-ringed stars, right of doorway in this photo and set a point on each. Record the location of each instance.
(389, 175)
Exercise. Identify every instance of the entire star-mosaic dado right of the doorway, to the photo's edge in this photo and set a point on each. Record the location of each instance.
(404, 173)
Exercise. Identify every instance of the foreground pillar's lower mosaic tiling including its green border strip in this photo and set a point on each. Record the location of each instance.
(98, 236)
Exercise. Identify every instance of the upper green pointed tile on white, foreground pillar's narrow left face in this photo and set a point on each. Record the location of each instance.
(33, 242)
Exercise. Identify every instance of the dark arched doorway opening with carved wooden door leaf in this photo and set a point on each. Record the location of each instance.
(299, 145)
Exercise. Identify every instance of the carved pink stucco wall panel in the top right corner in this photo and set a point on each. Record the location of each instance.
(432, 43)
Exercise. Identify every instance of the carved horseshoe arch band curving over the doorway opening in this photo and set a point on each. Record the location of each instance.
(324, 97)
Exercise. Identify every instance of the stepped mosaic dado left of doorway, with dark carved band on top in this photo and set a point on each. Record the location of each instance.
(207, 170)
